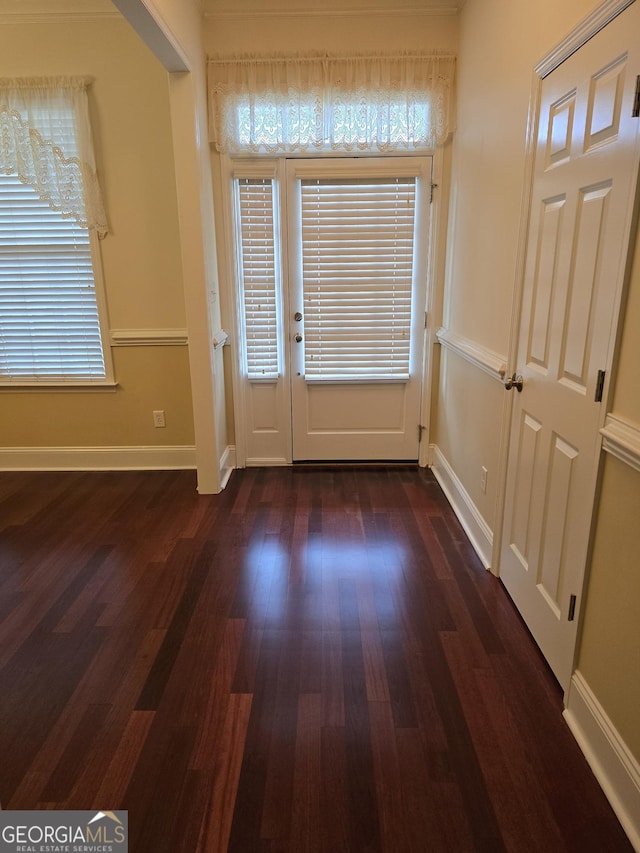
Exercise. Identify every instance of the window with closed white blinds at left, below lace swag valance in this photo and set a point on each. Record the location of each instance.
(49, 323)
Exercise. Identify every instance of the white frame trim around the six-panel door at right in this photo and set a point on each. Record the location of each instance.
(589, 27)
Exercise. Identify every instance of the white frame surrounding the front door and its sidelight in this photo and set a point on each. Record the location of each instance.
(433, 318)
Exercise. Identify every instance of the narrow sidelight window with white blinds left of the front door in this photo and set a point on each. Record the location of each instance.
(258, 275)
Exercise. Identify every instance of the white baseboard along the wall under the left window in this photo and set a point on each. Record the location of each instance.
(97, 458)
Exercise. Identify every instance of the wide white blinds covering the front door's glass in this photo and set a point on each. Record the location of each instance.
(357, 256)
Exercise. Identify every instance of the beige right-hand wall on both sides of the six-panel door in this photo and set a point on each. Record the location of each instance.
(500, 43)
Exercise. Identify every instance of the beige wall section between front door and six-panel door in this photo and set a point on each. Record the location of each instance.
(500, 44)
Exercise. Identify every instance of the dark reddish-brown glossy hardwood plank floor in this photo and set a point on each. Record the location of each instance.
(313, 660)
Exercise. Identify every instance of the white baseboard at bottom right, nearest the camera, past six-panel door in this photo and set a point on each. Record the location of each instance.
(613, 765)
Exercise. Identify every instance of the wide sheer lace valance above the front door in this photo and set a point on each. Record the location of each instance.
(360, 103)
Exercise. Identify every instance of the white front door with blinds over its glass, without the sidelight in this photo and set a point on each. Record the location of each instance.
(357, 247)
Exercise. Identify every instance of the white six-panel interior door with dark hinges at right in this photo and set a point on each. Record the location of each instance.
(579, 229)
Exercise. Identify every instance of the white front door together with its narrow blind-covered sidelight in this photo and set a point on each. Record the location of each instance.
(332, 278)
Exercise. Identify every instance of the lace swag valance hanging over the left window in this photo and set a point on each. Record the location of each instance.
(45, 138)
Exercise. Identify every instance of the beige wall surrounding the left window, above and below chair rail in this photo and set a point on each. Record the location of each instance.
(140, 257)
